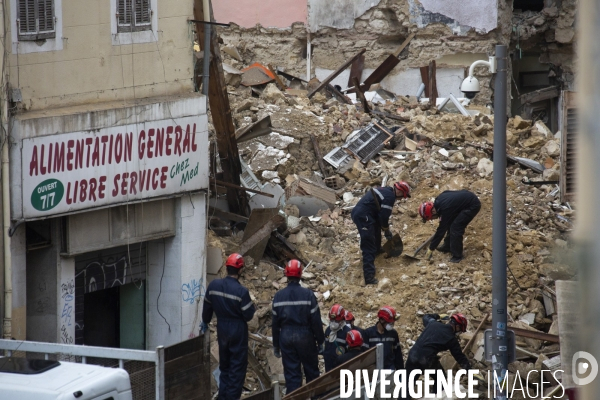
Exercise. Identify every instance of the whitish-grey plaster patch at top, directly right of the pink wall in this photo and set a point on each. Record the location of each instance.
(339, 14)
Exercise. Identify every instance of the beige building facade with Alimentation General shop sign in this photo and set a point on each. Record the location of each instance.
(108, 162)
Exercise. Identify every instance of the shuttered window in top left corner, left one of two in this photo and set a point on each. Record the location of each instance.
(35, 19)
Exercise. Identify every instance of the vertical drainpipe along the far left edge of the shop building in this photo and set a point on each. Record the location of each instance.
(6, 227)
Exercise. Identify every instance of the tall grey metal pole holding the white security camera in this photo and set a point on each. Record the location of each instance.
(499, 265)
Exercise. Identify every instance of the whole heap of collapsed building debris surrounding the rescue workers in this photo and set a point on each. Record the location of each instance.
(320, 155)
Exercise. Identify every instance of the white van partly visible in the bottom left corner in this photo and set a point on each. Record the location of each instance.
(25, 379)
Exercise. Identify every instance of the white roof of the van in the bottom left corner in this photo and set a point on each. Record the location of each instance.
(66, 377)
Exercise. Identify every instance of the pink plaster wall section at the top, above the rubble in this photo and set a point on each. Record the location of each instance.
(267, 13)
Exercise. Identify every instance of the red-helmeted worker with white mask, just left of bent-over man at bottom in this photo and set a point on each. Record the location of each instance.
(383, 332)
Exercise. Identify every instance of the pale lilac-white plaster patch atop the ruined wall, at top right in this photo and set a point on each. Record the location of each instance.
(461, 15)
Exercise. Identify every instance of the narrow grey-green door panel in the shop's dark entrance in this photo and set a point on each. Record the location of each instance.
(133, 316)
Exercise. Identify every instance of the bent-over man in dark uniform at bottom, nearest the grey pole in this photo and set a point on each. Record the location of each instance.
(437, 337)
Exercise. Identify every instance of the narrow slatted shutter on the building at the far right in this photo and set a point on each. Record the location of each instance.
(570, 131)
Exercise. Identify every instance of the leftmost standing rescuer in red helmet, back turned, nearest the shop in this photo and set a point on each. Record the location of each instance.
(230, 301)
